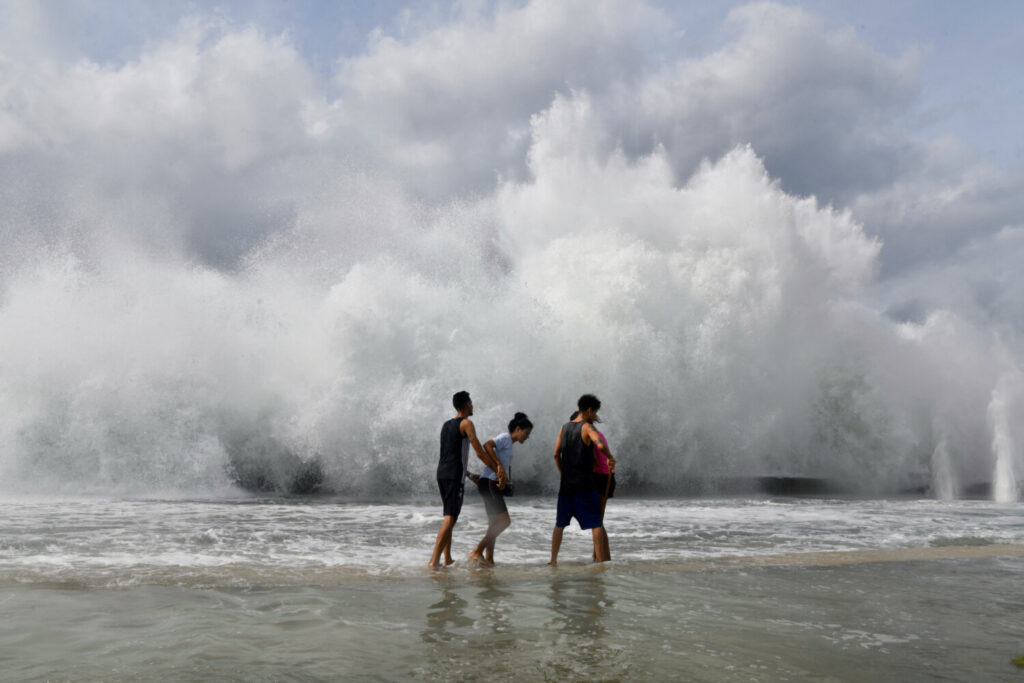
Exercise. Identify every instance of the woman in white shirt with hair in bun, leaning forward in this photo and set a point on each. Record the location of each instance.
(494, 485)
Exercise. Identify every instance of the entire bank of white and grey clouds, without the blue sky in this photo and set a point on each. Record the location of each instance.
(210, 117)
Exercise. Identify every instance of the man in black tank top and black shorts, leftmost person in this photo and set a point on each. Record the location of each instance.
(457, 436)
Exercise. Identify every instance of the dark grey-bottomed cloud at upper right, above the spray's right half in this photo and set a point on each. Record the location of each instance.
(818, 103)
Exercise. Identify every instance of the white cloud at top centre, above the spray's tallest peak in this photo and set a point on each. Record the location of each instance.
(470, 89)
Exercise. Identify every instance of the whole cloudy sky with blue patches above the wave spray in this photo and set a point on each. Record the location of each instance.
(907, 114)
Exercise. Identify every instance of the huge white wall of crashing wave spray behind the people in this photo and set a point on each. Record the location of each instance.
(720, 322)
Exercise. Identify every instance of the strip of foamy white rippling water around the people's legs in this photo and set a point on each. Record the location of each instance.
(253, 542)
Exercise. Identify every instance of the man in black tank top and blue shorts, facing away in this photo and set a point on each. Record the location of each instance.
(577, 495)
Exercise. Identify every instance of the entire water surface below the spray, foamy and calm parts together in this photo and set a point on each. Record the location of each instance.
(698, 590)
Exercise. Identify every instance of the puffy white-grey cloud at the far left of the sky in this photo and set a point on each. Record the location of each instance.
(179, 149)
